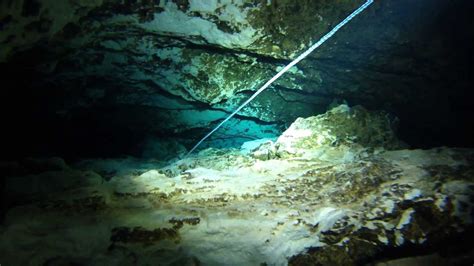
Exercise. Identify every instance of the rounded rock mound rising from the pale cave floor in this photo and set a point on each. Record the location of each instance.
(341, 125)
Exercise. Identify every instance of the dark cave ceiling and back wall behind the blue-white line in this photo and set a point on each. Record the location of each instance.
(96, 77)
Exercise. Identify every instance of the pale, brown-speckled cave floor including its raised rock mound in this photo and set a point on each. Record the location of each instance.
(337, 203)
